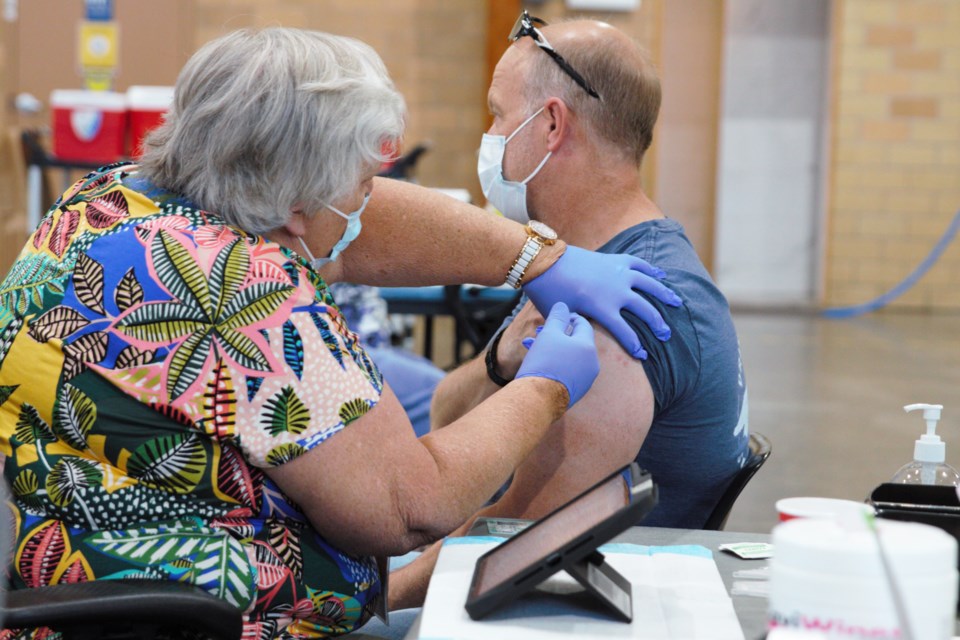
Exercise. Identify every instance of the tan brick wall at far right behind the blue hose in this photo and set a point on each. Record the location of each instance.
(895, 150)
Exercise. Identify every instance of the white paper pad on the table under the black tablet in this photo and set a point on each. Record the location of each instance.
(677, 594)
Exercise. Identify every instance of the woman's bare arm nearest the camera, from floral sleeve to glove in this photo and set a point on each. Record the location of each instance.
(395, 492)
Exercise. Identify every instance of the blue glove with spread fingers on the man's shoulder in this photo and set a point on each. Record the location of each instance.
(599, 286)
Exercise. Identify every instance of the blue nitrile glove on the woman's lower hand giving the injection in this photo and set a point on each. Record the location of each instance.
(564, 351)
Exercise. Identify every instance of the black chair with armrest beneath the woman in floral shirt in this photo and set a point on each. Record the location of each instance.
(115, 609)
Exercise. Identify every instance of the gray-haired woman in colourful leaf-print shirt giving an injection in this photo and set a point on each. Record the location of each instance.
(181, 398)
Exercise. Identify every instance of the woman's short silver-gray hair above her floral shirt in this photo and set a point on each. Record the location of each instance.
(267, 121)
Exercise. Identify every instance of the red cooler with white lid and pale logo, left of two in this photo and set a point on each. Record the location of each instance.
(89, 126)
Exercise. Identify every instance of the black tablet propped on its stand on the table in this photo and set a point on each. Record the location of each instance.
(567, 540)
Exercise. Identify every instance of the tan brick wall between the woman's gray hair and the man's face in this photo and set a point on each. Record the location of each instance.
(433, 49)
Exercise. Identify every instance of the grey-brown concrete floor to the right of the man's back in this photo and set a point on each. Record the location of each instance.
(829, 396)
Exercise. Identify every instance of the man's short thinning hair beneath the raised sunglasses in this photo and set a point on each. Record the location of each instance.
(626, 80)
